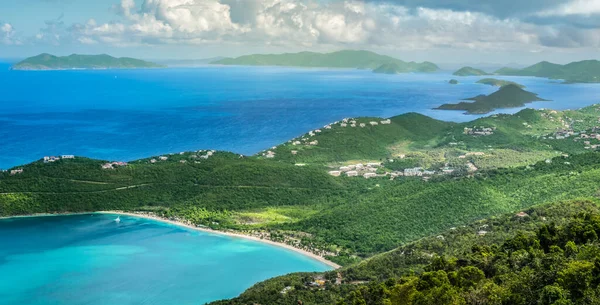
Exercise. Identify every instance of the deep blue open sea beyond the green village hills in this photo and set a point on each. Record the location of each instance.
(130, 114)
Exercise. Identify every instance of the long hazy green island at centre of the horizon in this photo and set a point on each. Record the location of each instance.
(341, 59)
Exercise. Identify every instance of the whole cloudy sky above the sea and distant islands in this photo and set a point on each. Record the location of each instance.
(452, 31)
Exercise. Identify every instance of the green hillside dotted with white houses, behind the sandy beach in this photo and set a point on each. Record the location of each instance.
(293, 189)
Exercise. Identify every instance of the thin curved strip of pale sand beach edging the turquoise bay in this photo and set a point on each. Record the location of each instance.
(206, 230)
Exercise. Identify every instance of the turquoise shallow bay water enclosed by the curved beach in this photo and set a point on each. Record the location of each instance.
(91, 259)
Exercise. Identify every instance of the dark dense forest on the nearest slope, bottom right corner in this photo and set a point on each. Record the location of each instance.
(548, 254)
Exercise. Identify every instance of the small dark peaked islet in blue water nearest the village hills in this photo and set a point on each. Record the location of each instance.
(509, 96)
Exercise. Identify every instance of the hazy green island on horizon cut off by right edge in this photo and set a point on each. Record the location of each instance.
(587, 71)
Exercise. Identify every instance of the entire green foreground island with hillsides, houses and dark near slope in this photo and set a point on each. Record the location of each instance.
(416, 210)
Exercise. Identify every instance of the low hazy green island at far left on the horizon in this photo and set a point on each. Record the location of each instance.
(50, 62)
